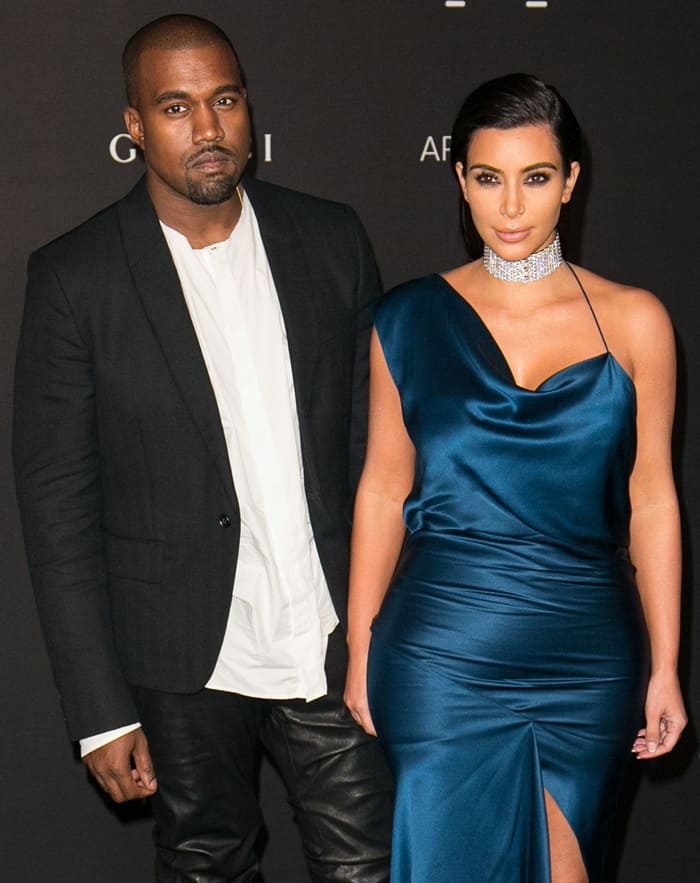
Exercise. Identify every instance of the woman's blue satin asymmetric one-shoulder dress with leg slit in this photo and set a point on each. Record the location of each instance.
(510, 654)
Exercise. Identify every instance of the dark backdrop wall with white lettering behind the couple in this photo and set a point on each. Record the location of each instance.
(353, 101)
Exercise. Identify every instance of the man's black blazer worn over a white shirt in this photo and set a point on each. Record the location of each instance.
(127, 500)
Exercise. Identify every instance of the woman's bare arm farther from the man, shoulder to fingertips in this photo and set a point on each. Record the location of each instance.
(655, 522)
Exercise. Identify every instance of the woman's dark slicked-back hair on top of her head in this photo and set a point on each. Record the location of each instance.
(512, 101)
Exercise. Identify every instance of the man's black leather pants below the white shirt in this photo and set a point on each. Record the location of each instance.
(206, 750)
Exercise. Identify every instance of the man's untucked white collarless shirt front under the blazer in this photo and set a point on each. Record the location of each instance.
(281, 611)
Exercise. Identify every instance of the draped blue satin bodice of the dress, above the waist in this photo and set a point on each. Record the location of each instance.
(536, 469)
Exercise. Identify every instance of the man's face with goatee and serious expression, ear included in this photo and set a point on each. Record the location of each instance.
(191, 123)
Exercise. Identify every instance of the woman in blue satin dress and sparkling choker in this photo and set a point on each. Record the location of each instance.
(520, 424)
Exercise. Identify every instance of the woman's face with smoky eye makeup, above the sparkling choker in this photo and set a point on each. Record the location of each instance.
(515, 184)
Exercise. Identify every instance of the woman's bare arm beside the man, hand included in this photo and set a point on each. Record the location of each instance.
(378, 527)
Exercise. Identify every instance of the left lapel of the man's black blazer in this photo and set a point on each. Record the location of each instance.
(159, 288)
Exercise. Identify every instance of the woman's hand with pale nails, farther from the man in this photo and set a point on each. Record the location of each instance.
(665, 718)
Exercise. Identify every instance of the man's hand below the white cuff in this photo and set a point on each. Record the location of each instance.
(123, 768)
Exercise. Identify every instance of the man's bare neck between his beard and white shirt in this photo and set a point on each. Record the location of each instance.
(202, 225)
